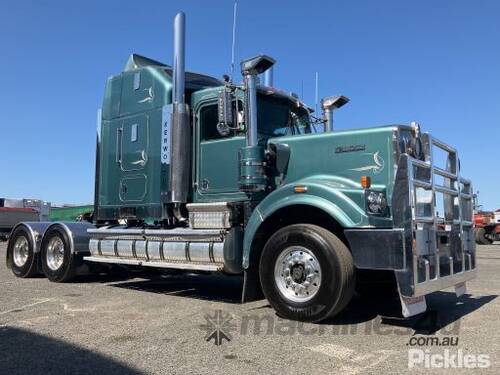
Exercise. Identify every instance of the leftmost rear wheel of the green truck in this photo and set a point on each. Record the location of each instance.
(21, 257)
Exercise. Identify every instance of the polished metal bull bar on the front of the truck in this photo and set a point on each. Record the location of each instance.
(440, 245)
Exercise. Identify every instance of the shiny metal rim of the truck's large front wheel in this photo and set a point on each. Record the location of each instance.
(297, 274)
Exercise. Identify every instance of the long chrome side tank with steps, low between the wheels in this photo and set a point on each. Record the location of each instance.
(181, 248)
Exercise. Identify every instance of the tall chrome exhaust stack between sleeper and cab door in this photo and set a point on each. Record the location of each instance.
(180, 163)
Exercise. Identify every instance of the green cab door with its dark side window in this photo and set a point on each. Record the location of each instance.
(217, 167)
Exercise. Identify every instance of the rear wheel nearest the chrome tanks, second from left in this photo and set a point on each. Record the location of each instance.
(58, 263)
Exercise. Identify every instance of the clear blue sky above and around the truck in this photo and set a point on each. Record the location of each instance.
(437, 62)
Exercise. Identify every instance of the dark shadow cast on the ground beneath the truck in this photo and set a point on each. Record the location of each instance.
(444, 308)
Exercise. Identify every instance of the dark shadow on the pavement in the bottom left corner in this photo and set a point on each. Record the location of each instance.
(25, 352)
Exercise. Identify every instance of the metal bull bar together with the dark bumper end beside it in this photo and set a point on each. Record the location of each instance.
(432, 245)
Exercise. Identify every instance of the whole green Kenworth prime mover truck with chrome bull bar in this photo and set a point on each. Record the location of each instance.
(203, 175)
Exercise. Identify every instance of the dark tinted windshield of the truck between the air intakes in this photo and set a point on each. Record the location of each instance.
(278, 117)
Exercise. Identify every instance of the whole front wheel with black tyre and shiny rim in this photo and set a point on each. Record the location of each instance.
(306, 273)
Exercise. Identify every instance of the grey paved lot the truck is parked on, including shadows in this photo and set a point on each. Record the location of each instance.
(160, 324)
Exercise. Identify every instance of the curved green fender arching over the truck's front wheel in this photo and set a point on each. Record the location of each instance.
(341, 198)
